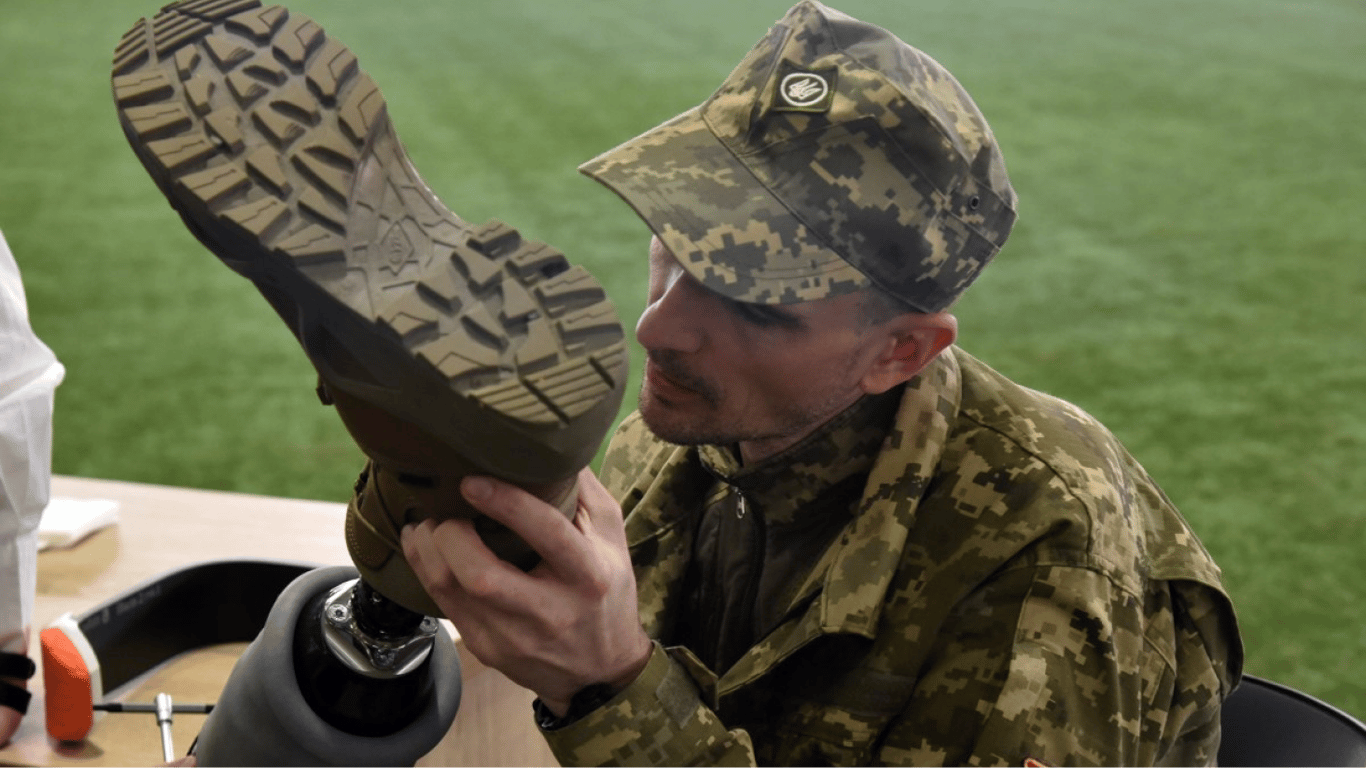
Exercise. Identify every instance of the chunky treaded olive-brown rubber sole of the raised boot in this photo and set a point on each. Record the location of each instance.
(266, 132)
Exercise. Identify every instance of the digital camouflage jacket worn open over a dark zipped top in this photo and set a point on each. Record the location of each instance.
(1010, 586)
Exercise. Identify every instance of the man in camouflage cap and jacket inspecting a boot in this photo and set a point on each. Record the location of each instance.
(853, 543)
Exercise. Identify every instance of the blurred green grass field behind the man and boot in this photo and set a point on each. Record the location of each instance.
(1188, 264)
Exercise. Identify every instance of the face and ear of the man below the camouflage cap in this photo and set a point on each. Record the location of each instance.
(723, 372)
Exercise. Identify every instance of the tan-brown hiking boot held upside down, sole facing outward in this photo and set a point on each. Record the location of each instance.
(447, 348)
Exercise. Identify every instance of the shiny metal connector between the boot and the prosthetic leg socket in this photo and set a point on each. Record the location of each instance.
(370, 655)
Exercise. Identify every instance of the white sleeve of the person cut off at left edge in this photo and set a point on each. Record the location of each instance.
(29, 375)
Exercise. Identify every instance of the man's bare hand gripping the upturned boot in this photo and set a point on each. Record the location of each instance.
(570, 622)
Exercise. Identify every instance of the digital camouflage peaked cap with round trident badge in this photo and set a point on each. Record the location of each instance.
(833, 158)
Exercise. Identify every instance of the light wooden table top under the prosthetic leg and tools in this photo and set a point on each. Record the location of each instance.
(163, 528)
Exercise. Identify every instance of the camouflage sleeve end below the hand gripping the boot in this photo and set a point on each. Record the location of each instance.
(658, 721)
